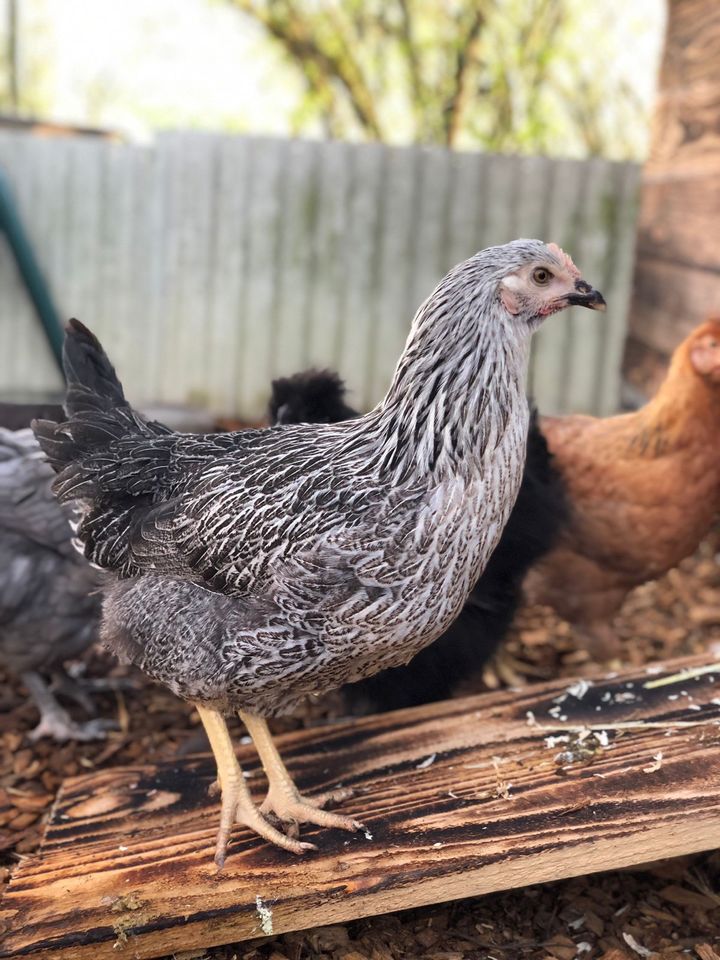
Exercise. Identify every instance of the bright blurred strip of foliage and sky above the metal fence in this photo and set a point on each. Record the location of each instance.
(560, 77)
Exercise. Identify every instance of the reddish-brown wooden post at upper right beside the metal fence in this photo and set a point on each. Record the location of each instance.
(677, 278)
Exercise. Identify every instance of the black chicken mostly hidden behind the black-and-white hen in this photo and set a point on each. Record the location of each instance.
(539, 515)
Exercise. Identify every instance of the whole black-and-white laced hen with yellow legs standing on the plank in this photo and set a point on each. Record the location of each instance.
(253, 569)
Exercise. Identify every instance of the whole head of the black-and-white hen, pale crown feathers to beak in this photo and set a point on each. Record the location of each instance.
(542, 279)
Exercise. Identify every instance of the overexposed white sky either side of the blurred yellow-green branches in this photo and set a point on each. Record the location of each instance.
(134, 65)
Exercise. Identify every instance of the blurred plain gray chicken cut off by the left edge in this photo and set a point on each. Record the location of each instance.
(49, 607)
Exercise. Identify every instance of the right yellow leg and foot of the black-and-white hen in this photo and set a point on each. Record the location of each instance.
(284, 799)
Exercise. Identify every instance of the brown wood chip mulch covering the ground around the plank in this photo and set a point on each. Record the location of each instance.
(664, 910)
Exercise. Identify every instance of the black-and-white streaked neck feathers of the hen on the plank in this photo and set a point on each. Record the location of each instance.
(458, 387)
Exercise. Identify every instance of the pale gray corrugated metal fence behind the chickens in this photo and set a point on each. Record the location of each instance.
(208, 264)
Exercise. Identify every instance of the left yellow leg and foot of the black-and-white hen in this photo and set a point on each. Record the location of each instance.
(237, 805)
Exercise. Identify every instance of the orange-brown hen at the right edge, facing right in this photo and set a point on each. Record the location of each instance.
(644, 488)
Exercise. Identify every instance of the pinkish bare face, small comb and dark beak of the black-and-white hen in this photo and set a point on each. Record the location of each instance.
(544, 287)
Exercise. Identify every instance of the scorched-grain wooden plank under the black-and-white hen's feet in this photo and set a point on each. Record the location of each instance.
(459, 798)
